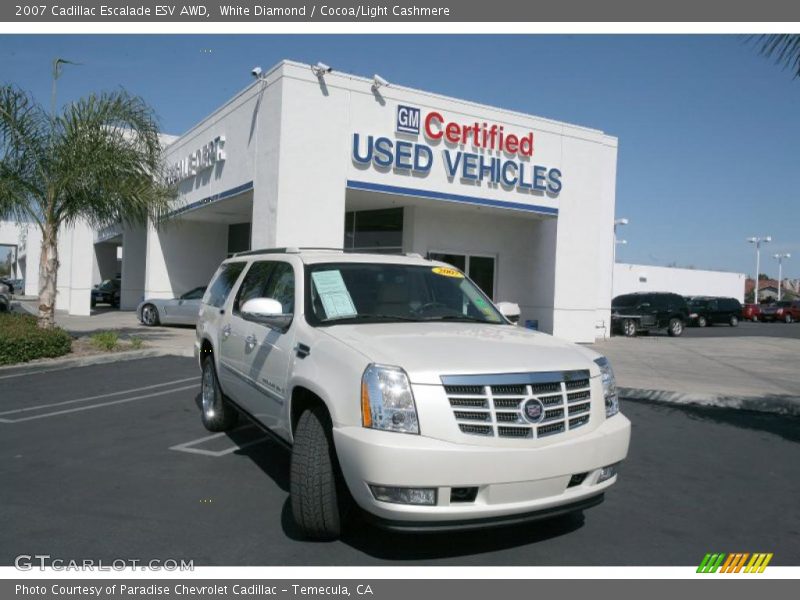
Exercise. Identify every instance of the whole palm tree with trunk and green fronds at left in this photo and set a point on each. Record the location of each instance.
(97, 161)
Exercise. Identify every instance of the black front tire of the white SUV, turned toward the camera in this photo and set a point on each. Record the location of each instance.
(317, 490)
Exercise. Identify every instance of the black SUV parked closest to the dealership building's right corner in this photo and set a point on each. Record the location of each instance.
(649, 311)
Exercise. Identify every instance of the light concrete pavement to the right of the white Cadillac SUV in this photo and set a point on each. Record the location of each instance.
(753, 373)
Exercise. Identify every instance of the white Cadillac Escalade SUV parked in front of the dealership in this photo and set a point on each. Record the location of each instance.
(400, 386)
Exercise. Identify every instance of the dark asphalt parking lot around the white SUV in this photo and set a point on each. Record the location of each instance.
(111, 461)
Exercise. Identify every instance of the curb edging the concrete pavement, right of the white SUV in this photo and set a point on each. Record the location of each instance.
(784, 405)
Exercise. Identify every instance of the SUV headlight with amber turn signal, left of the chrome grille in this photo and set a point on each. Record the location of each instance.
(387, 401)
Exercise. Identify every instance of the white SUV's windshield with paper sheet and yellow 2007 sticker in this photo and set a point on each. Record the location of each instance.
(367, 292)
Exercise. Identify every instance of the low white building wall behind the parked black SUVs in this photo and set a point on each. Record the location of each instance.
(686, 282)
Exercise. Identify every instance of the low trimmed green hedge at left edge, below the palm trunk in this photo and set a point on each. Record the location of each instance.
(21, 340)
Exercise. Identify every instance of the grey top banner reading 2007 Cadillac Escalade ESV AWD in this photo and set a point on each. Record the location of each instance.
(403, 11)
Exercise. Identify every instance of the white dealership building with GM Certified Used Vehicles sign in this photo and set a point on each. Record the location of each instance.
(305, 157)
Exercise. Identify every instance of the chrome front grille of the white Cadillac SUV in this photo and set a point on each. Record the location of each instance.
(486, 407)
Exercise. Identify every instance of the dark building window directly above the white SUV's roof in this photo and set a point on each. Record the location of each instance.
(374, 230)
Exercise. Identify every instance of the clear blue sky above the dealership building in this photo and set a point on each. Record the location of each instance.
(708, 129)
